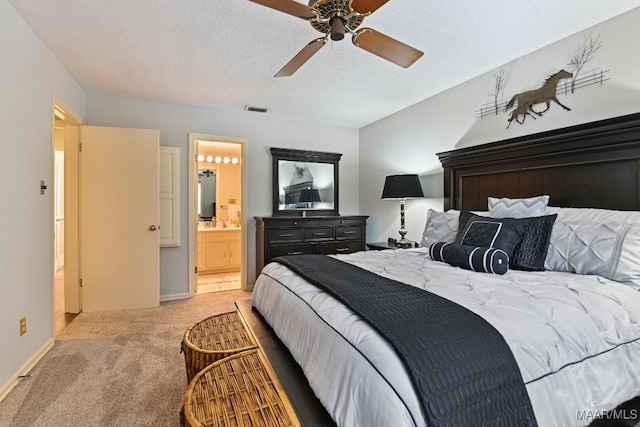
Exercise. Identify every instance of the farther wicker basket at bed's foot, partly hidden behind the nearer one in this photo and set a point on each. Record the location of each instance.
(214, 338)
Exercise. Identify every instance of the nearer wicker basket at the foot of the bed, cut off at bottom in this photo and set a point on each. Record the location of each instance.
(240, 390)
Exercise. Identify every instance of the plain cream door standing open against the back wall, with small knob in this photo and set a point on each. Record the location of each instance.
(119, 244)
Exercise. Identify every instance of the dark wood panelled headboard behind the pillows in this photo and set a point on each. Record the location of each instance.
(591, 165)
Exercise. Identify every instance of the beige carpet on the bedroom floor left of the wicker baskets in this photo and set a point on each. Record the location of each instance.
(114, 368)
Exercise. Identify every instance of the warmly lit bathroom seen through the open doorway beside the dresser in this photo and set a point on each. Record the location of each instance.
(217, 221)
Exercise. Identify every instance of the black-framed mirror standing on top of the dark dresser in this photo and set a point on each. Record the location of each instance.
(305, 182)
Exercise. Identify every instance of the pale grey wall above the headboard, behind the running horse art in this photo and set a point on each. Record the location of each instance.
(409, 140)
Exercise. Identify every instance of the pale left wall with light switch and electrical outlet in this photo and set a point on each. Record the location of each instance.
(30, 77)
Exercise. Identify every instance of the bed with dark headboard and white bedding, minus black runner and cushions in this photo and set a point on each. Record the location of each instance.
(566, 326)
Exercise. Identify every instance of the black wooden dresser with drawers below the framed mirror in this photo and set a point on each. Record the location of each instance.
(278, 235)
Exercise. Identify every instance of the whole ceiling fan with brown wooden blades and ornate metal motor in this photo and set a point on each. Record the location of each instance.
(334, 18)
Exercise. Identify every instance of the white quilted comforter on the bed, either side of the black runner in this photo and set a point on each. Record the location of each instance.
(576, 338)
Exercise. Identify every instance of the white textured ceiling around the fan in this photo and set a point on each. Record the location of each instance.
(224, 53)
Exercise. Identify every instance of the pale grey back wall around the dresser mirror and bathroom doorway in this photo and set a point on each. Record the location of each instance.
(261, 131)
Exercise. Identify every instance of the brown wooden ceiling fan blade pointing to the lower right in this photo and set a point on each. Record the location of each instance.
(385, 47)
